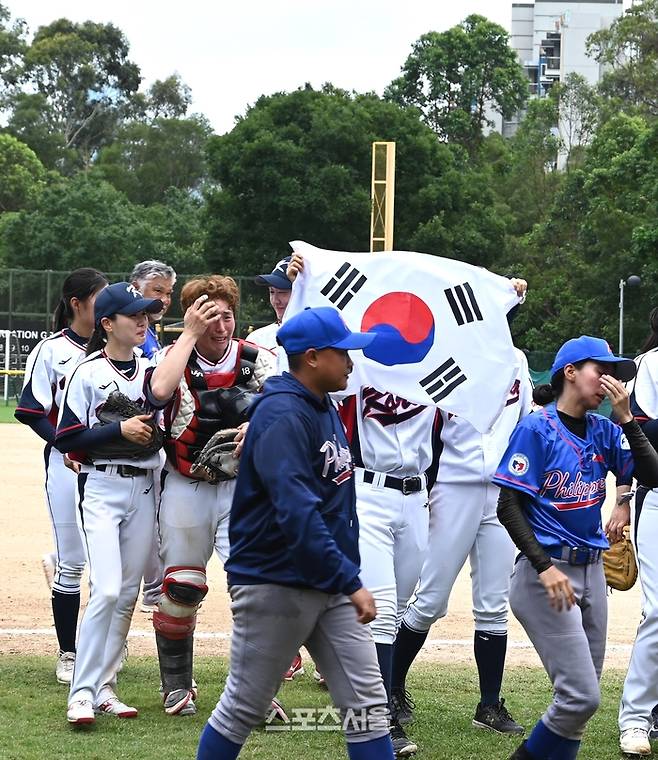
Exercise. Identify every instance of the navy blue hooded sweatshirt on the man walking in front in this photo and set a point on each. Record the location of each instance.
(293, 518)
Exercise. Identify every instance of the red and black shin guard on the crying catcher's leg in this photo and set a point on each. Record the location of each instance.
(183, 588)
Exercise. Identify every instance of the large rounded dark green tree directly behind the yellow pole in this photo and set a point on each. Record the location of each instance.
(298, 166)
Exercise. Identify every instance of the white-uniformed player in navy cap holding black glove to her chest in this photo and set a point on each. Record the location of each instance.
(115, 489)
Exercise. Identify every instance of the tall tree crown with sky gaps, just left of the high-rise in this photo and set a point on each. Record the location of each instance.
(455, 77)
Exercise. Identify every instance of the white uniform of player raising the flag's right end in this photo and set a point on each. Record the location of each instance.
(463, 519)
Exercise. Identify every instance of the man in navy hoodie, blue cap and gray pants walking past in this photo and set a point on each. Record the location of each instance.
(293, 568)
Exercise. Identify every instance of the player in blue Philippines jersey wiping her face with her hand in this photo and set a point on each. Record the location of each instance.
(553, 480)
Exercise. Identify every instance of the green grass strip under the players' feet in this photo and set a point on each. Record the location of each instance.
(33, 723)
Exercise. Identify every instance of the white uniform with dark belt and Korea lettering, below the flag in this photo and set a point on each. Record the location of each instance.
(391, 442)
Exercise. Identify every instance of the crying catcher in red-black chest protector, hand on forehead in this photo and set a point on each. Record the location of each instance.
(206, 381)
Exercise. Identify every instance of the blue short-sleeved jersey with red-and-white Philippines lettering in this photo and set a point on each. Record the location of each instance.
(564, 475)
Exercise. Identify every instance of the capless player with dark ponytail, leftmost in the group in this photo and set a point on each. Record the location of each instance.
(48, 365)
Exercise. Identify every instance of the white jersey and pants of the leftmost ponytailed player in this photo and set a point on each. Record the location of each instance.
(46, 369)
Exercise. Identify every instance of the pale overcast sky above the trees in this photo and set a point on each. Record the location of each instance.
(229, 53)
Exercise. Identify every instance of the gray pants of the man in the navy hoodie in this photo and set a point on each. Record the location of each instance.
(270, 623)
